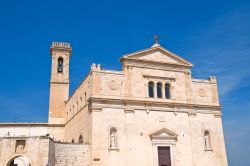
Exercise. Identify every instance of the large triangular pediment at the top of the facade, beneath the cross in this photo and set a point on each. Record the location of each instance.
(157, 54)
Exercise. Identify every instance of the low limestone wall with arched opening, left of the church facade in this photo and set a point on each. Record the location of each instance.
(41, 151)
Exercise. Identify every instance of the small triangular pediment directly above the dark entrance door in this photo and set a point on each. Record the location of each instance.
(164, 134)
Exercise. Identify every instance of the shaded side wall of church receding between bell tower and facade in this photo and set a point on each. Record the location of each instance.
(77, 119)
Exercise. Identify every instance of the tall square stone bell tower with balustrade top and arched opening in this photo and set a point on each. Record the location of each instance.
(59, 81)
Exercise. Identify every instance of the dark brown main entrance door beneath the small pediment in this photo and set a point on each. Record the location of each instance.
(164, 158)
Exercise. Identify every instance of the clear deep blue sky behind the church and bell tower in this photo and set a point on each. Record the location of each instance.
(213, 35)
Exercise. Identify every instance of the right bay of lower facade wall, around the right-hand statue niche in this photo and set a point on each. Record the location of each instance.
(216, 155)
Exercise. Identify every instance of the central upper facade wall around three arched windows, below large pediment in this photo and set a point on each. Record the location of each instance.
(139, 78)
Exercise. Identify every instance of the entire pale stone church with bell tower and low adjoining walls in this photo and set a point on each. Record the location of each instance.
(151, 113)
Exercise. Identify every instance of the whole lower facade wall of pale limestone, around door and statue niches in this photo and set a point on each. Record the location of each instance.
(135, 145)
